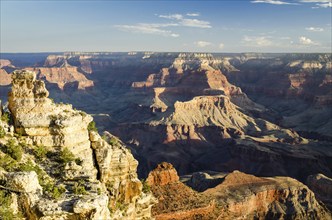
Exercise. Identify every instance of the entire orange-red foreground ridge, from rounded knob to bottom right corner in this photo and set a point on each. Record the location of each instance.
(239, 195)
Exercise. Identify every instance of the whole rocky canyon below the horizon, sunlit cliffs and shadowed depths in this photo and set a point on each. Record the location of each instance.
(243, 134)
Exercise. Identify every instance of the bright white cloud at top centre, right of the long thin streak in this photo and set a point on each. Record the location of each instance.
(187, 22)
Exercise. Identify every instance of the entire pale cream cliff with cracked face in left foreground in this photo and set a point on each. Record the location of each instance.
(95, 176)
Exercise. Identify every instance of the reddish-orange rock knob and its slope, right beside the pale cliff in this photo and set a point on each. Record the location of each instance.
(176, 200)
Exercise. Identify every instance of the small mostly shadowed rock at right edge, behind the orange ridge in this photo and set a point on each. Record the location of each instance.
(321, 185)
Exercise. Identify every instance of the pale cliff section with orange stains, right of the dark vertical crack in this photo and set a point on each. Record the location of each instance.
(117, 170)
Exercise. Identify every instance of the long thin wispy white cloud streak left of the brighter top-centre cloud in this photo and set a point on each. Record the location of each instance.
(148, 29)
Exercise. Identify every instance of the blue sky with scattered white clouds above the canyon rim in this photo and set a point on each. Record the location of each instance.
(202, 26)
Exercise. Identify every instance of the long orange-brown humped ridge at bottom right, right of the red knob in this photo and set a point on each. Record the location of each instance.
(250, 197)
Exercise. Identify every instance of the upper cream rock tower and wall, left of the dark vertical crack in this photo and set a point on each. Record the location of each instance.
(48, 124)
